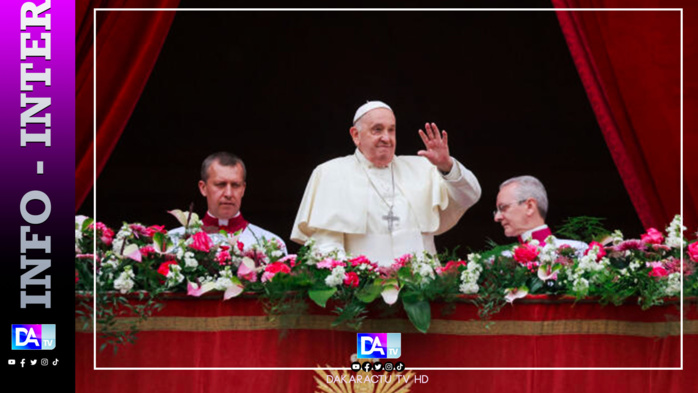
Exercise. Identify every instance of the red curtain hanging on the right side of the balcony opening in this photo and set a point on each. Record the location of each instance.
(630, 65)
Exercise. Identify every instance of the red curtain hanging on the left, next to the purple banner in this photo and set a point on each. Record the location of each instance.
(127, 45)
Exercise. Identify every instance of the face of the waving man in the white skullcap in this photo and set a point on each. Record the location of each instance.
(376, 140)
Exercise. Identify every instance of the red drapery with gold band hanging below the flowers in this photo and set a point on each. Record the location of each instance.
(211, 333)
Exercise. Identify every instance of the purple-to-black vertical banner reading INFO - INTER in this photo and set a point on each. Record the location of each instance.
(37, 157)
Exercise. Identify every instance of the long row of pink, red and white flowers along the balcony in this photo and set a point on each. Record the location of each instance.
(147, 261)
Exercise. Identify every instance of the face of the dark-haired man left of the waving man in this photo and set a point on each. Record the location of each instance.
(223, 189)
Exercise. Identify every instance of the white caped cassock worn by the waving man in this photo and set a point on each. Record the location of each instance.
(347, 202)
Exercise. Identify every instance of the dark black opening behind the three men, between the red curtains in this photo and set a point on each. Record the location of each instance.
(280, 90)
